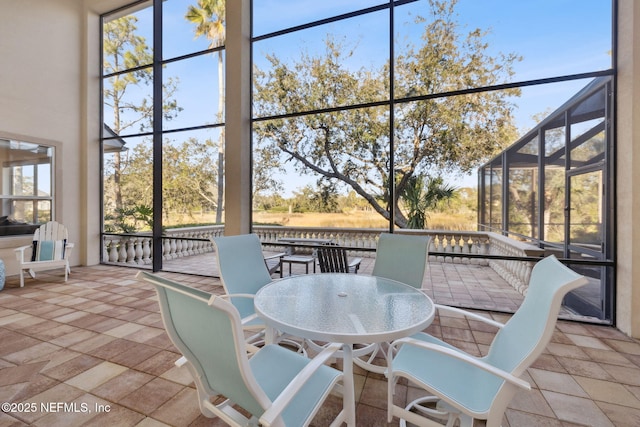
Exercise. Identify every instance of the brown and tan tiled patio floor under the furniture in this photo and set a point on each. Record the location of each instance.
(98, 340)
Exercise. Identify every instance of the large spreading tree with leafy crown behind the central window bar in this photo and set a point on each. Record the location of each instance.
(351, 147)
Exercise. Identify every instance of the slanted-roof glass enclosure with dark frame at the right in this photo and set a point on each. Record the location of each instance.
(575, 169)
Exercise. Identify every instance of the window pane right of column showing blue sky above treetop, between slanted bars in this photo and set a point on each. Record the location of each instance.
(338, 64)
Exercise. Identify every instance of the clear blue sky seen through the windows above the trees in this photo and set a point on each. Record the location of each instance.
(555, 37)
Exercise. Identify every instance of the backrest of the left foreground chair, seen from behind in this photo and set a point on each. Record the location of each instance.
(207, 331)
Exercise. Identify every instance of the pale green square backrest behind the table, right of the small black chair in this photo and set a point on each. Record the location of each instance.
(402, 257)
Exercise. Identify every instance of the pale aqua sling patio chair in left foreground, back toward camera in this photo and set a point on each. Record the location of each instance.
(274, 387)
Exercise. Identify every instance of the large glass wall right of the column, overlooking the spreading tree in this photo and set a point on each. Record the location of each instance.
(382, 106)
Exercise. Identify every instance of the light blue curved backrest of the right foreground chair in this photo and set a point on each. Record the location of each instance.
(525, 336)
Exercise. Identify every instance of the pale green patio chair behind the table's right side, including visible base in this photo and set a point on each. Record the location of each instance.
(403, 258)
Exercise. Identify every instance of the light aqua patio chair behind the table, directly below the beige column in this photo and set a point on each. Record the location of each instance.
(243, 271)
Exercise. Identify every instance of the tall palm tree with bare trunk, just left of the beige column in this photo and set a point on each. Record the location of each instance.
(209, 19)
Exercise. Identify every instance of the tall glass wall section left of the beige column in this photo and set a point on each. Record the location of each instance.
(163, 134)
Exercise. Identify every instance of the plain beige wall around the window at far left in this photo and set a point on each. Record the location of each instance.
(40, 77)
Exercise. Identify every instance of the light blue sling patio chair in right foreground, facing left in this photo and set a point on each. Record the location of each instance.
(463, 387)
